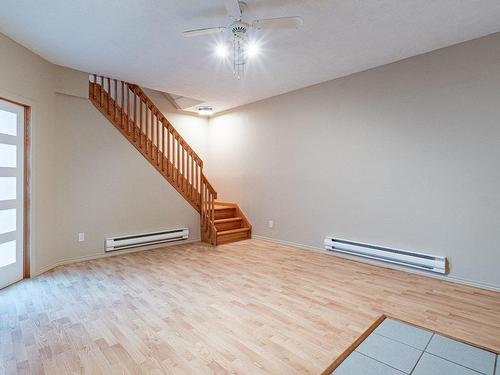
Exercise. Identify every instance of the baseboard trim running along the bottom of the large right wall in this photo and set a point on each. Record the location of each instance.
(452, 279)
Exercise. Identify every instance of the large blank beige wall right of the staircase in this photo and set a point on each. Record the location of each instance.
(405, 155)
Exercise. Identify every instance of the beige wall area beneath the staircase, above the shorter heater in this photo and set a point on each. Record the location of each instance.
(97, 194)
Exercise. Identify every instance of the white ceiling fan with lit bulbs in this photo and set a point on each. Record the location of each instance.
(239, 29)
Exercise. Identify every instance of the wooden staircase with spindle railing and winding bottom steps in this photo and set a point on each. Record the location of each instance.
(138, 119)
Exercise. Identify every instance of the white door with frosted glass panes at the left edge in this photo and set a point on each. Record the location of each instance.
(11, 192)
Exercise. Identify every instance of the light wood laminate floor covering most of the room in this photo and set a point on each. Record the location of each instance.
(249, 307)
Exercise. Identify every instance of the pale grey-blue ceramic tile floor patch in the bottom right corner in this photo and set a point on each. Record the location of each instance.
(399, 349)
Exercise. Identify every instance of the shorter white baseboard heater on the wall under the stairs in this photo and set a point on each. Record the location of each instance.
(145, 239)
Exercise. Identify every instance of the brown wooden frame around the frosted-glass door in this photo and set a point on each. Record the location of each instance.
(26, 188)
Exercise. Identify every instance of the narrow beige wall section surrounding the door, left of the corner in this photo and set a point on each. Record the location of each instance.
(27, 78)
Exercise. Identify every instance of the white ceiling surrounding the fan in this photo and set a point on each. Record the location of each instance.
(140, 40)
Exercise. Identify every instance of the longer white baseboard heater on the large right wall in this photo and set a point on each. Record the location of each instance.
(421, 261)
